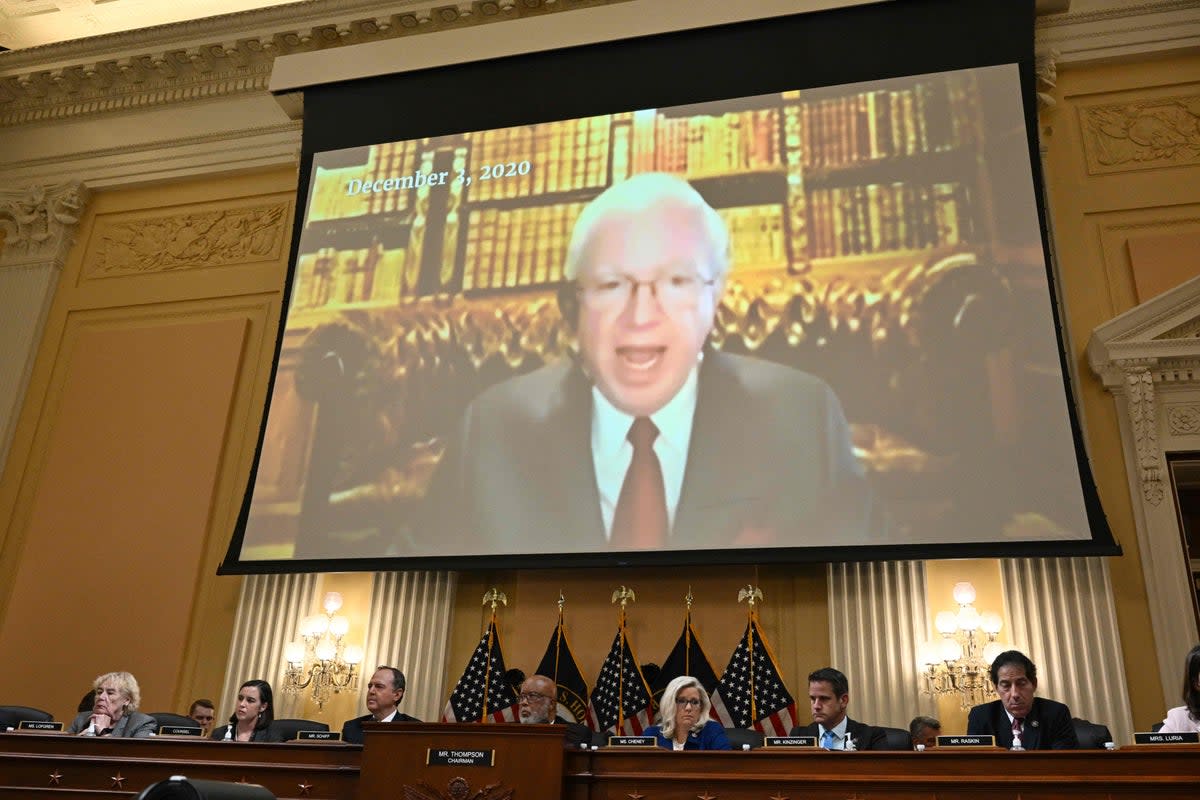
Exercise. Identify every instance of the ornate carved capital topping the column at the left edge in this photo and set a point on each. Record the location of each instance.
(39, 224)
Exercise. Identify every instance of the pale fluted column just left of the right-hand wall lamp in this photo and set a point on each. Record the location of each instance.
(878, 621)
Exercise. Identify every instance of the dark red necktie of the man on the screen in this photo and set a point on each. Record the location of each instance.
(640, 521)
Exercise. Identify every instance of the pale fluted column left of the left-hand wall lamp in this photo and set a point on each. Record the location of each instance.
(269, 612)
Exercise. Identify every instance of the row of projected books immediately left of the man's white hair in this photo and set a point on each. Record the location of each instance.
(518, 248)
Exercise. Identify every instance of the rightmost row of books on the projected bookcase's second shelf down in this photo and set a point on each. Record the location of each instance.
(881, 218)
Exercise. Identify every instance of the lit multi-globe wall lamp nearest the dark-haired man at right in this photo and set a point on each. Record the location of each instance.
(961, 663)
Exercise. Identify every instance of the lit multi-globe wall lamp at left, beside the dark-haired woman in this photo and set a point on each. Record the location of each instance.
(321, 659)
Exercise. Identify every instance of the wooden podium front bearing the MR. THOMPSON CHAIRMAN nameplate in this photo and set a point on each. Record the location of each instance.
(455, 762)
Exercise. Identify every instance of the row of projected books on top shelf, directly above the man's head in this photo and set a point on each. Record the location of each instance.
(699, 147)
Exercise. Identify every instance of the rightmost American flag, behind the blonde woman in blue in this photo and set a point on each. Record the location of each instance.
(752, 693)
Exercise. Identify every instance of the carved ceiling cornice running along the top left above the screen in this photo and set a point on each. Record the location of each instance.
(219, 57)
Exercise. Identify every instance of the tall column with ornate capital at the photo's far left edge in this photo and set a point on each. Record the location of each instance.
(38, 228)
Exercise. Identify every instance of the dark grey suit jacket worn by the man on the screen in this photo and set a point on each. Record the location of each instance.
(770, 465)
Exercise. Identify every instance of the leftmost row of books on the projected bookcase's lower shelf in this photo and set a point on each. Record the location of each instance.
(370, 275)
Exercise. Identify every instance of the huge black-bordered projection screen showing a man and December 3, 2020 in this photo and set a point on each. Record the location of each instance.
(878, 375)
